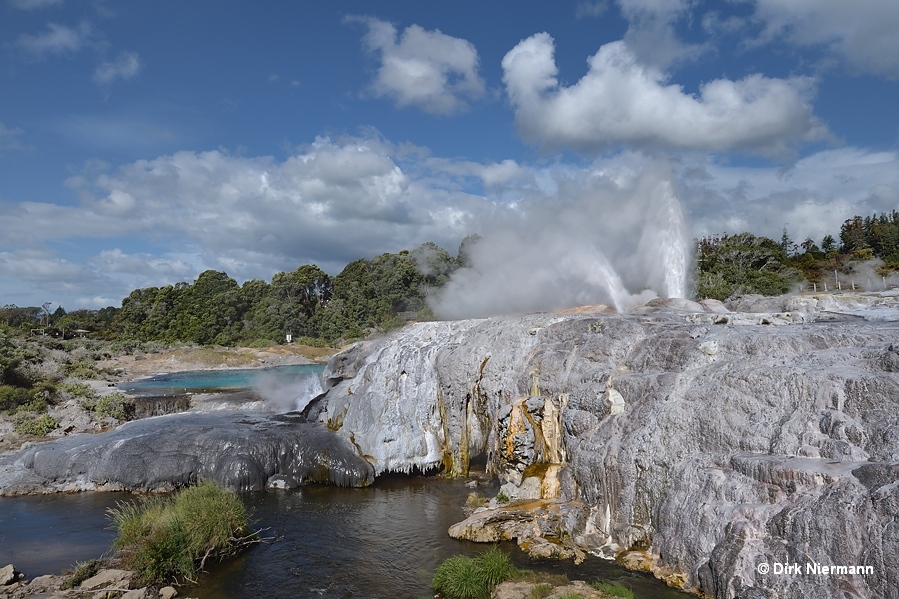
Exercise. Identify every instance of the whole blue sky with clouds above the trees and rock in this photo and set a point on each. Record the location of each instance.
(142, 143)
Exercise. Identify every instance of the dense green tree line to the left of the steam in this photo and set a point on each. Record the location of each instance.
(307, 304)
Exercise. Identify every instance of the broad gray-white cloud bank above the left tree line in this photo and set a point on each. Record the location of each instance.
(329, 203)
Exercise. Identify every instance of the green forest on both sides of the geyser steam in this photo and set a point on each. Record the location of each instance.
(377, 294)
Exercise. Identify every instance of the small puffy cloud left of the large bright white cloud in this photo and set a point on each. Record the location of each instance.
(428, 70)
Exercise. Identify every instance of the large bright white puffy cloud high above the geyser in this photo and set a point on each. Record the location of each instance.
(621, 101)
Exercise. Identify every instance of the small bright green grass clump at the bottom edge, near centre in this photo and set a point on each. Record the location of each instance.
(462, 577)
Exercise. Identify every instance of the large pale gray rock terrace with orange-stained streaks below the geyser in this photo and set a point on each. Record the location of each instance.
(706, 449)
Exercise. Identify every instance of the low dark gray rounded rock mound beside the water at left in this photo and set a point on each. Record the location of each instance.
(244, 451)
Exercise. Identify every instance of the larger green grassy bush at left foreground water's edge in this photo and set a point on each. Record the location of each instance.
(165, 538)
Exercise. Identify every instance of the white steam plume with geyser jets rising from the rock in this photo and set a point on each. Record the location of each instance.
(620, 239)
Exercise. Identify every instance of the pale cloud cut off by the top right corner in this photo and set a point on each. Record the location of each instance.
(862, 33)
